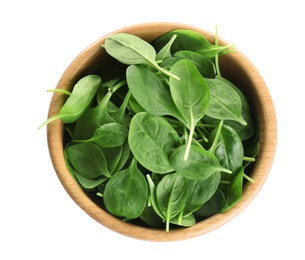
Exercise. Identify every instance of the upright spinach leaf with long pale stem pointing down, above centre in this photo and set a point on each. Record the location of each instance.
(191, 95)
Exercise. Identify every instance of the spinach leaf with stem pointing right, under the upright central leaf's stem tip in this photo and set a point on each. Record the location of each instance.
(200, 165)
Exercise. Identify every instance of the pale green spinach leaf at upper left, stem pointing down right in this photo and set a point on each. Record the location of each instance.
(131, 50)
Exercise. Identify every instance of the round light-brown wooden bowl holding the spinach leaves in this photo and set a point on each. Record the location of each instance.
(235, 67)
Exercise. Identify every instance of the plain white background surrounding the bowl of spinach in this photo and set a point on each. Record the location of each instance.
(38, 40)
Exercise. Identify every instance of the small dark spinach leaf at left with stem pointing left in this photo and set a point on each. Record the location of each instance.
(108, 135)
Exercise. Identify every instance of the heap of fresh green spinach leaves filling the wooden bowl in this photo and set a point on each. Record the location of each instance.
(164, 139)
